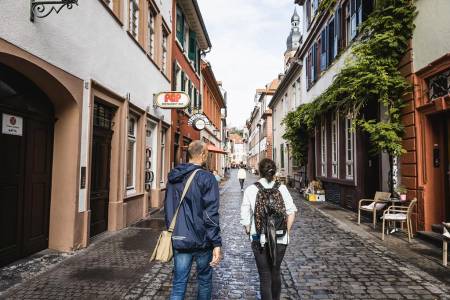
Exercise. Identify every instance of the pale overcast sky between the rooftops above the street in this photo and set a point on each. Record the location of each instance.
(248, 42)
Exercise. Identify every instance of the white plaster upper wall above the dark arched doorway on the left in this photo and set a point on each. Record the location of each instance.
(87, 42)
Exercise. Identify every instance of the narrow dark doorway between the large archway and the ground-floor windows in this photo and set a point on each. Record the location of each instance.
(100, 168)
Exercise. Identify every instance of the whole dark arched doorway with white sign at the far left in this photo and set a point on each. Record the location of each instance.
(26, 139)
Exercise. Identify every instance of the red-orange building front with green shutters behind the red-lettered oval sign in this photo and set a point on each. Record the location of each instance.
(189, 41)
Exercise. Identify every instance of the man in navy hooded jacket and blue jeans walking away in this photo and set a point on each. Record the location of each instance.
(197, 231)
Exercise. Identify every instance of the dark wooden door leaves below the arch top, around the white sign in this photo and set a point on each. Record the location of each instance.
(25, 186)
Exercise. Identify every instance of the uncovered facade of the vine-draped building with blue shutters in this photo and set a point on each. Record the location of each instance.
(342, 158)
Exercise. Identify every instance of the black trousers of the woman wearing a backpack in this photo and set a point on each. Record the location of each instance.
(269, 275)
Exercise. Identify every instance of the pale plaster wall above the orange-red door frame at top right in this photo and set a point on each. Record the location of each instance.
(432, 24)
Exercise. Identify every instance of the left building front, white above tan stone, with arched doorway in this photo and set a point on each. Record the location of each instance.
(83, 150)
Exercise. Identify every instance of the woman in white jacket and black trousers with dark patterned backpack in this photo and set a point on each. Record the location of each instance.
(267, 213)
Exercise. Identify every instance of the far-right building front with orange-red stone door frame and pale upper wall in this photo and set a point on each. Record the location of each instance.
(425, 168)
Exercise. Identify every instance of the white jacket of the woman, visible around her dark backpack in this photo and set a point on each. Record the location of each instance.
(248, 207)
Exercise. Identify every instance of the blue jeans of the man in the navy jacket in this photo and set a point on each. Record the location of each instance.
(182, 269)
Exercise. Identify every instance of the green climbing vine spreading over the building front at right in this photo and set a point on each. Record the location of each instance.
(370, 75)
